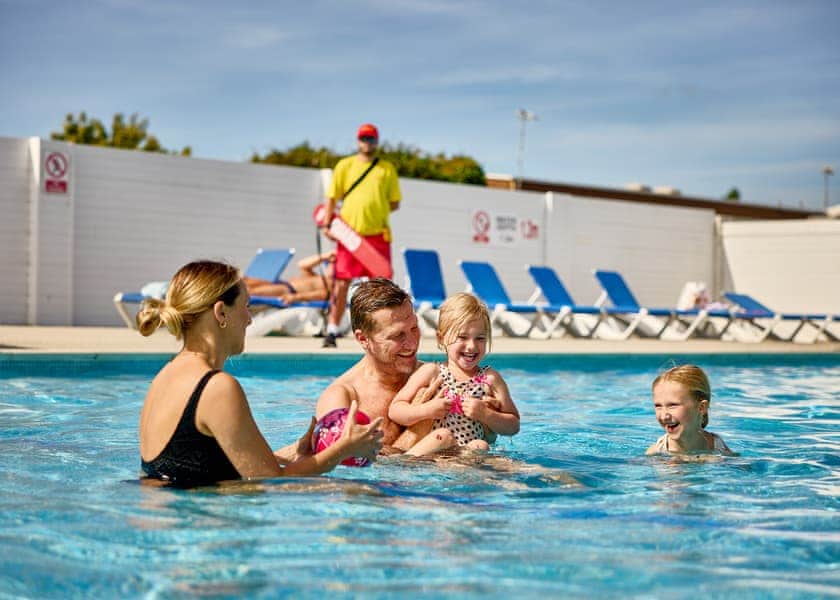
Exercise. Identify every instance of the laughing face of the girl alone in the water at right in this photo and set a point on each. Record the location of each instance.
(679, 414)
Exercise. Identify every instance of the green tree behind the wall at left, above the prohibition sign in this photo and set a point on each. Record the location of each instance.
(129, 136)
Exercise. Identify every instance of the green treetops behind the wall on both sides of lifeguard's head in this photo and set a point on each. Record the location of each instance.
(409, 162)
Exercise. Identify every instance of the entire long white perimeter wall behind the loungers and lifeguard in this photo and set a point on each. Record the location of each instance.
(133, 217)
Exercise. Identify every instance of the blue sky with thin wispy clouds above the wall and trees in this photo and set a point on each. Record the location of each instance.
(699, 96)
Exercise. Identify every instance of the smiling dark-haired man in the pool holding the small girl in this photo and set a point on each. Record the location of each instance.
(383, 322)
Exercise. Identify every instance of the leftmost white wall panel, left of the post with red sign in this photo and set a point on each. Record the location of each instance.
(14, 225)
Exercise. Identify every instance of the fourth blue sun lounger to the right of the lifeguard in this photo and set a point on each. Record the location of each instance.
(631, 313)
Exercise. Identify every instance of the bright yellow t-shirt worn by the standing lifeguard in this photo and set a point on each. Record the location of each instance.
(368, 206)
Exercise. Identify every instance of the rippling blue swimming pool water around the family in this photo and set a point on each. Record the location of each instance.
(74, 522)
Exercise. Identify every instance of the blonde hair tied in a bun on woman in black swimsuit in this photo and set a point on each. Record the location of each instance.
(195, 288)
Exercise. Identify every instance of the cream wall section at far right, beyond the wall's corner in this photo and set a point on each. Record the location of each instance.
(790, 266)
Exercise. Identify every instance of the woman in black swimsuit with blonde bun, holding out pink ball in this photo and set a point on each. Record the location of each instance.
(196, 427)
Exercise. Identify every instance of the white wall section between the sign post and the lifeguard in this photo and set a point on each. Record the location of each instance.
(140, 216)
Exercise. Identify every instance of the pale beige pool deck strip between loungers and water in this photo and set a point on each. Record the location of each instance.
(121, 340)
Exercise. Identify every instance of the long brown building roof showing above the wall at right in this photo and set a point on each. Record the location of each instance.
(665, 196)
